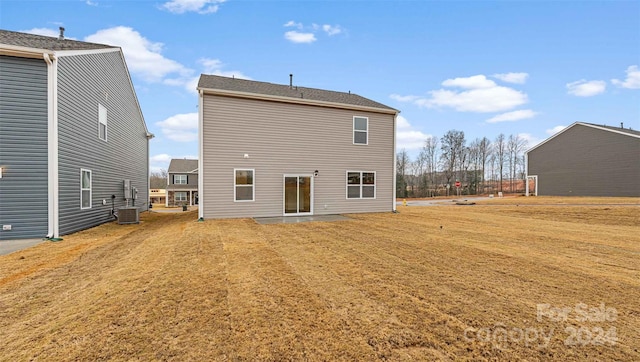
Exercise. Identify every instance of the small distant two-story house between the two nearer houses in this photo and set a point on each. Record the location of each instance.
(182, 182)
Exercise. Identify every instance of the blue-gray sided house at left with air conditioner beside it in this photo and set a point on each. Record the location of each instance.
(71, 130)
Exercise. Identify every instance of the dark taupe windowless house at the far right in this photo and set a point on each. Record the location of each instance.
(587, 159)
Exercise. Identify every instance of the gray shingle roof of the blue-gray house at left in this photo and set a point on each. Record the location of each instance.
(46, 42)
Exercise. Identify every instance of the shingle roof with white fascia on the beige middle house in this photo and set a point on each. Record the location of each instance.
(242, 87)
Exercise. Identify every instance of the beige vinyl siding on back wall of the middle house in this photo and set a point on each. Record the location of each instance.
(283, 138)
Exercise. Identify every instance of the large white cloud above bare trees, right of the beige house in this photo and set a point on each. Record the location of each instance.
(478, 94)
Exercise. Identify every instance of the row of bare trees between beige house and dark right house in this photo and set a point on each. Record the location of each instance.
(481, 166)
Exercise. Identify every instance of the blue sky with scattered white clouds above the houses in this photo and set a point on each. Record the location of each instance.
(483, 67)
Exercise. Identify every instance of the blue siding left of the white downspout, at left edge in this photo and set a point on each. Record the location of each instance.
(23, 148)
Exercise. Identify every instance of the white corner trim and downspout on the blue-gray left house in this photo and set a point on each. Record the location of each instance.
(52, 134)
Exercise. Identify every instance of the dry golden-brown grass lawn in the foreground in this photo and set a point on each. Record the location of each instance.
(495, 282)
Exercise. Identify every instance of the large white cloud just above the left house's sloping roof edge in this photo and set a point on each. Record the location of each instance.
(144, 57)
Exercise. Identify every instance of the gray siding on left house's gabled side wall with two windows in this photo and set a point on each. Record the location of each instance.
(84, 81)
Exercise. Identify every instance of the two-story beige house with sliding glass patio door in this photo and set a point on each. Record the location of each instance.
(278, 150)
